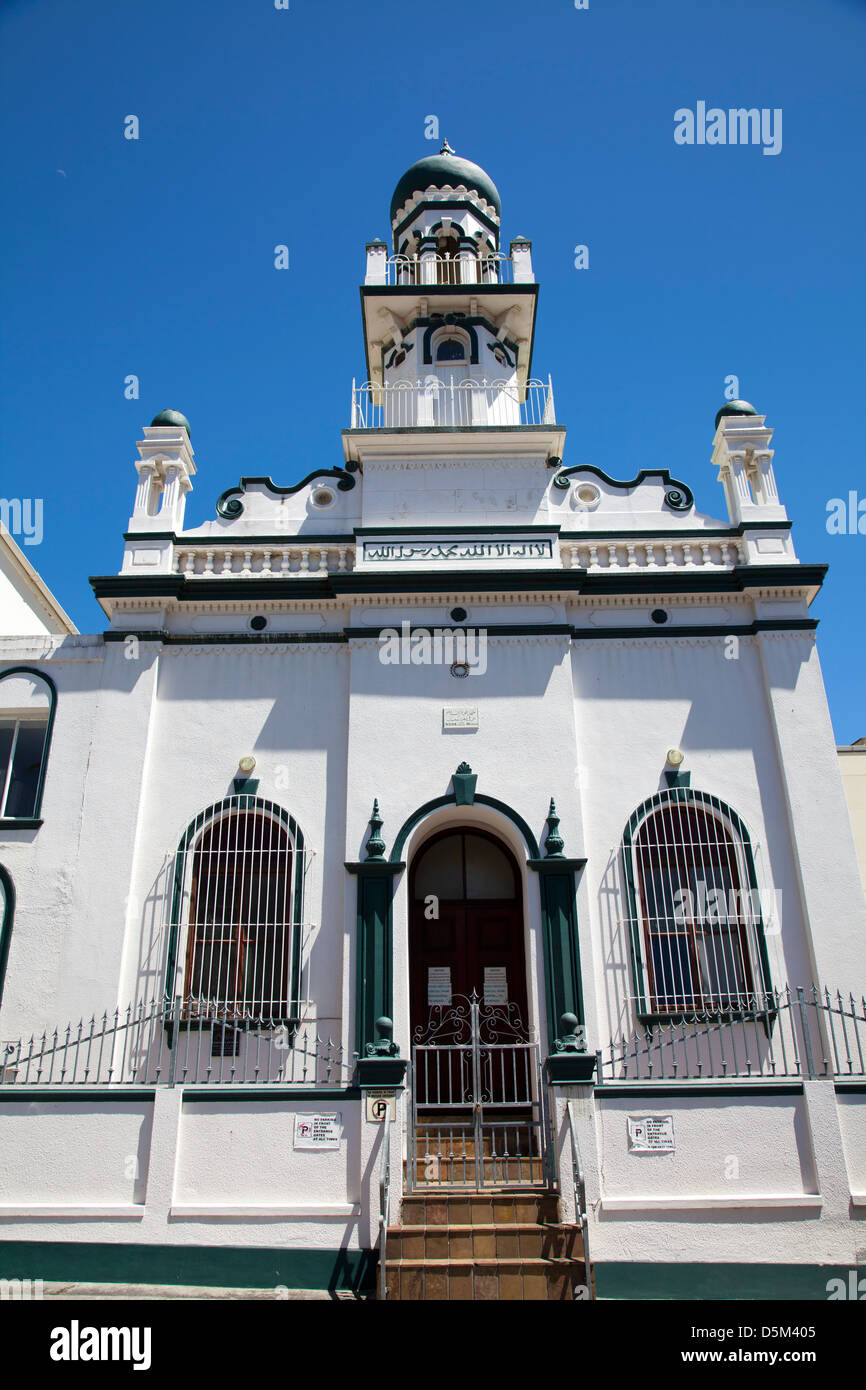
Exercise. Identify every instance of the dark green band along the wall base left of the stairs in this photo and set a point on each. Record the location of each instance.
(199, 1266)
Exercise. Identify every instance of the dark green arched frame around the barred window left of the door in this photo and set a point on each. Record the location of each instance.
(237, 806)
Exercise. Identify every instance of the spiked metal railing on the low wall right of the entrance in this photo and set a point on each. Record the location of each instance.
(797, 1033)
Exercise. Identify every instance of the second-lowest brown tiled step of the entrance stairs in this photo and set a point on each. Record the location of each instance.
(508, 1241)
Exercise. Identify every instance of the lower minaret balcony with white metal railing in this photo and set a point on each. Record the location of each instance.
(437, 402)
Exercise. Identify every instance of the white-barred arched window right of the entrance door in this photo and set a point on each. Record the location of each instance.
(696, 915)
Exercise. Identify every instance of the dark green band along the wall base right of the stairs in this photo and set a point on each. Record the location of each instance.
(646, 1282)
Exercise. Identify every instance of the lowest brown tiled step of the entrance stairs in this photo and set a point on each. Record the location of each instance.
(486, 1279)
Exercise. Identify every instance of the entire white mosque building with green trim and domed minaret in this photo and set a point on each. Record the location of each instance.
(437, 878)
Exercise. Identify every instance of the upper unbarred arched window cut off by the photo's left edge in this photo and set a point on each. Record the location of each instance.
(27, 715)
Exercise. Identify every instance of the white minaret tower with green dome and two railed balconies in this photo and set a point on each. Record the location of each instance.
(448, 316)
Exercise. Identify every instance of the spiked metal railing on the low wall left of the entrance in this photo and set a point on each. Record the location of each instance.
(155, 1043)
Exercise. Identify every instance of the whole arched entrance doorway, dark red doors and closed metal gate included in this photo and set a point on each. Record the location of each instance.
(476, 1096)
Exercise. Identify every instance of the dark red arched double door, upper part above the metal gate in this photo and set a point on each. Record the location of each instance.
(466, 925)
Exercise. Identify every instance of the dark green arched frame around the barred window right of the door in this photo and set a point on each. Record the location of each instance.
(739, 833)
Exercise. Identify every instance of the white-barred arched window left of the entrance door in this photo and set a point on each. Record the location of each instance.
(240, 894)
